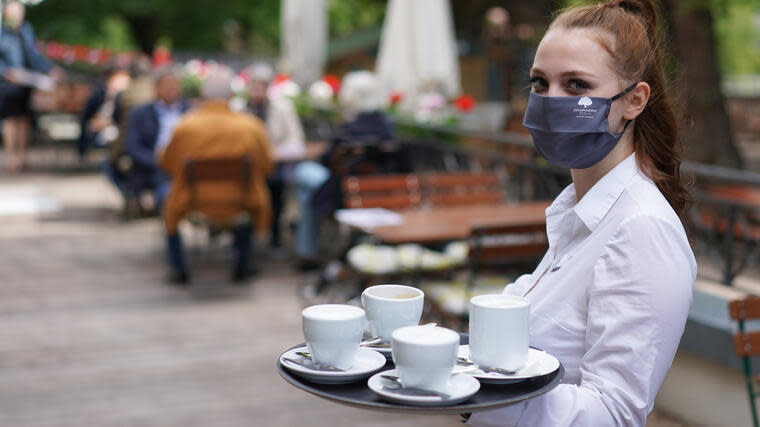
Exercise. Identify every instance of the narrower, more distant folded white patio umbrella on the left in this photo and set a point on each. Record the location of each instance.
(304, 39)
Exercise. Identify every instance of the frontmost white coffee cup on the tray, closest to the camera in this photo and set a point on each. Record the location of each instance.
(425, 356)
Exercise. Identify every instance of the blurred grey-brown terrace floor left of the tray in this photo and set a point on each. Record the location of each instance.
(91, 334)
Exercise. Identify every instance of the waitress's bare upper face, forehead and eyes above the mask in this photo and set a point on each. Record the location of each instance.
(572, 62)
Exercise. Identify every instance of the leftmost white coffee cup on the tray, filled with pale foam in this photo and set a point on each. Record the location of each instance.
(333, 333)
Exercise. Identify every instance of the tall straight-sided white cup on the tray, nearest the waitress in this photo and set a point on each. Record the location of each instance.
(499, 335)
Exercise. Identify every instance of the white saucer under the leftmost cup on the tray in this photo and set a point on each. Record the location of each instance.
(366, 363)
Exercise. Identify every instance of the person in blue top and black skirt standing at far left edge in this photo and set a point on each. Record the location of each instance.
(18, 54)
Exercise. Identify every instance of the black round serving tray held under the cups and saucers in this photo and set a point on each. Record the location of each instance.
(490, 396)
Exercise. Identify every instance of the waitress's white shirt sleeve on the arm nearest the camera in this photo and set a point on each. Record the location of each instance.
(637, 308)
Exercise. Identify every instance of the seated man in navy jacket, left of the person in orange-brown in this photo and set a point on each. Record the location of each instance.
(149, 129)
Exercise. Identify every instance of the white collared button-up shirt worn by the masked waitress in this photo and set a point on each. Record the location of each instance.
(611, 306)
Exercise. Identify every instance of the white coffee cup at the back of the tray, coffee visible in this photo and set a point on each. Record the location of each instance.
(390, 307)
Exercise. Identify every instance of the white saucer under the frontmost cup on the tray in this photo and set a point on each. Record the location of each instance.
(461, 387)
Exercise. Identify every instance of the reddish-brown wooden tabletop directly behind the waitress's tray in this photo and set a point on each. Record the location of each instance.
(442, 224)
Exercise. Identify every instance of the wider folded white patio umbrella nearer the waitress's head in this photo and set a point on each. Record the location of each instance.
(418, 48)
